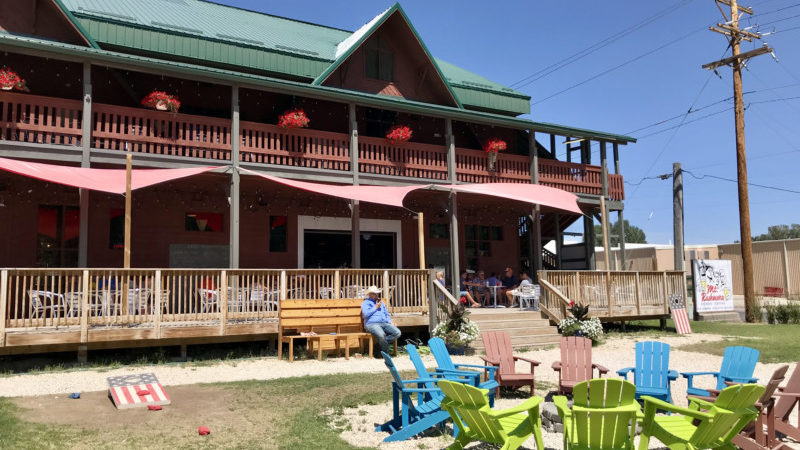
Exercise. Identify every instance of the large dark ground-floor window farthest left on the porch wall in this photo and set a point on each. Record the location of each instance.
(57, 231)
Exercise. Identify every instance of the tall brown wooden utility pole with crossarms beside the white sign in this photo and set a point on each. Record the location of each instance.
(735, 36)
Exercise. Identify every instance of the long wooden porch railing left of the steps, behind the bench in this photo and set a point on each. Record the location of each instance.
(49, 299)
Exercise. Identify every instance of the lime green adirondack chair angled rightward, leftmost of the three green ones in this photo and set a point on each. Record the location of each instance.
(469, 408)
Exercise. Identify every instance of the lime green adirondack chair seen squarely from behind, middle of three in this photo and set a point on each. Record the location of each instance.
(603, 416)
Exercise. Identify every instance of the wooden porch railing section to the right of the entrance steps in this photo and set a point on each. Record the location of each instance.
(615, 295)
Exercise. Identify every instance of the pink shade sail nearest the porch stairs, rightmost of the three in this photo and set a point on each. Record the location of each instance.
(537, 194)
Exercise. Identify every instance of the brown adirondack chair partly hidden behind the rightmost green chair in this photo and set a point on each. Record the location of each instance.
(754, 437)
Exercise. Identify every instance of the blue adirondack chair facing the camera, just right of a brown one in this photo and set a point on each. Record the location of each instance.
(652, 375)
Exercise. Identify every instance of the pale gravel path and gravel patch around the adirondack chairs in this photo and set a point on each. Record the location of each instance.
(616, 353)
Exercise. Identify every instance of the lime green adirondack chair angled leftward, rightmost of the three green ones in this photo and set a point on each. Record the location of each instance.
(703, 424)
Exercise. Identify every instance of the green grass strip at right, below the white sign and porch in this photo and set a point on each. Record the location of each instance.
(777, 343)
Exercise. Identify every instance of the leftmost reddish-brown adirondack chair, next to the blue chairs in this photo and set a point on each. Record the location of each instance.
(499, 353)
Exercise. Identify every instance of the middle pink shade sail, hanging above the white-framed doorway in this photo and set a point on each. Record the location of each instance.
(383, 195)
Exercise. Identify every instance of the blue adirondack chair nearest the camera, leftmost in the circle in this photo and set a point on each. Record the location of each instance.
(409, 419)
